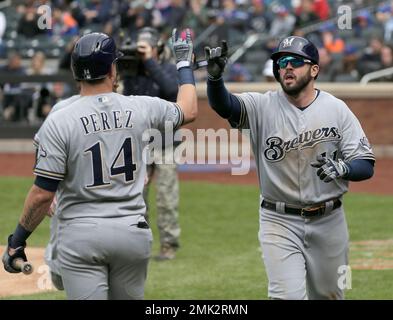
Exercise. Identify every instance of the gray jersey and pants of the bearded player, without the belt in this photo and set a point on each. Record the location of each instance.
(302, 256)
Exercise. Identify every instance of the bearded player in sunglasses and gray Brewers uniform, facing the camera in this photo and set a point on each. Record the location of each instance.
(307, 145)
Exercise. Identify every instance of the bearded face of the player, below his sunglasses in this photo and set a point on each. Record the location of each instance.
(293, 81)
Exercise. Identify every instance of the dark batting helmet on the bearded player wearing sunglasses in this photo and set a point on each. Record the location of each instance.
(294, 45)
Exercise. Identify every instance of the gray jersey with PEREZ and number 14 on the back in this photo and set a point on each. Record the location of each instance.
(94, 147)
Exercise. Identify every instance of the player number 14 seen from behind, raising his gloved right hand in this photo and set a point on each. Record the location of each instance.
(91, 154)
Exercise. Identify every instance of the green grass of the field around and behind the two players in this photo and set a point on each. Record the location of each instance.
(219, 256)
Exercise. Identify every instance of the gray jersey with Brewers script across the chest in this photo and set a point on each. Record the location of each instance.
(286, 139)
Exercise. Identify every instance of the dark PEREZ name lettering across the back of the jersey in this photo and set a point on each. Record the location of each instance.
(105, 121)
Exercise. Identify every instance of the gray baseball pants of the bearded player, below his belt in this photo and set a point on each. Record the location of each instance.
(302, 256)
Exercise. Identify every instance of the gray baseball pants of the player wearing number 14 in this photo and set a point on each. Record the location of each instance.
(104, 258)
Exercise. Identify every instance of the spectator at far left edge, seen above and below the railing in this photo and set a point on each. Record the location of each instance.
(15, 103)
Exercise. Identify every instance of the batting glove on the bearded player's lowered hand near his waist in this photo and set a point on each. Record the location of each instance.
(329, 169)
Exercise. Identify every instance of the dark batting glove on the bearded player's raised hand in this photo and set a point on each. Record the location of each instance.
(216, 59)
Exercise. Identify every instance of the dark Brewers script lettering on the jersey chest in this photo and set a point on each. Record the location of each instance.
(277, 148)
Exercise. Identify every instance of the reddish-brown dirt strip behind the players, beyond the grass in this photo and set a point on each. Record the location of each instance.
(381, 183)
